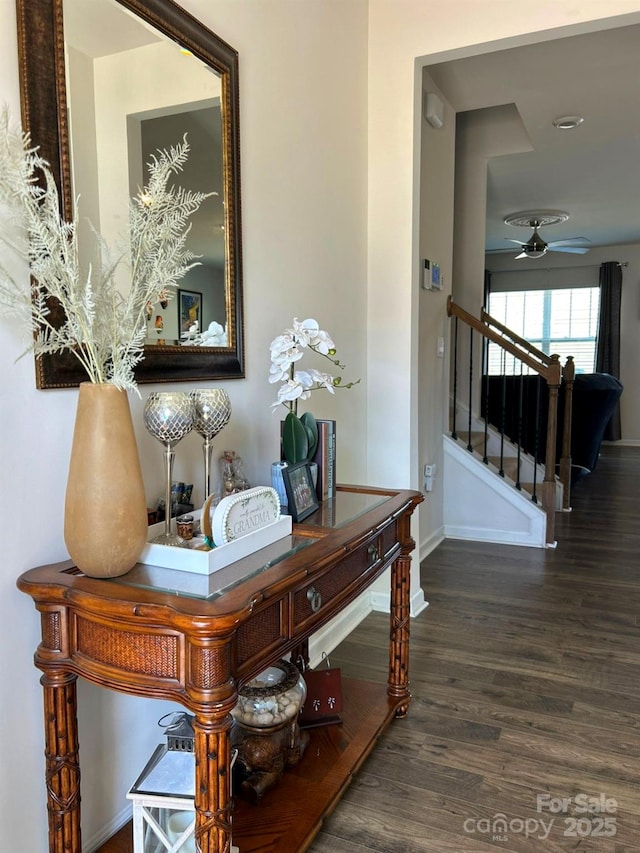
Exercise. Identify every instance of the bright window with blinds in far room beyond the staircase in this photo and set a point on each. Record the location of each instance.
(562, 321)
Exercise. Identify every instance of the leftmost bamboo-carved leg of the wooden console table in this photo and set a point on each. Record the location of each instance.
(62, 766)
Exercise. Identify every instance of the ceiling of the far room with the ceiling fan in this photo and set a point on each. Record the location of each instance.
(591, 172)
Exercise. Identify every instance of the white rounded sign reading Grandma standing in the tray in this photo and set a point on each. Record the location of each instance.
(245, 512)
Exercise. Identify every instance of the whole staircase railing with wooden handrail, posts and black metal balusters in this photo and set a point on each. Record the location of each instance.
(547, 367)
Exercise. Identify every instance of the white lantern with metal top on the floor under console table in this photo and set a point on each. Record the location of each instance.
(162, 796)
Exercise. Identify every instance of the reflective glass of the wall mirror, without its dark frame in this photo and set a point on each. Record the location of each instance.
(132, 91)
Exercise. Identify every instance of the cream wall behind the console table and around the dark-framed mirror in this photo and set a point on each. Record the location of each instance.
(329, 156)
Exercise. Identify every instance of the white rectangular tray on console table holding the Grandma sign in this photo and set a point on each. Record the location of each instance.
(207, 562)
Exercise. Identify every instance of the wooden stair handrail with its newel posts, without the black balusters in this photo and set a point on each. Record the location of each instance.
(549, 367)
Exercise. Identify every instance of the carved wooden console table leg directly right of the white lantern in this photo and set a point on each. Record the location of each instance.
(213, 784)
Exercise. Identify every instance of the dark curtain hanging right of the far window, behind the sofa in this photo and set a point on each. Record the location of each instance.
(608, 348)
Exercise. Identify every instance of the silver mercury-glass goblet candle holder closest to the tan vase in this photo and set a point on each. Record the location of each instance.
(168, 416)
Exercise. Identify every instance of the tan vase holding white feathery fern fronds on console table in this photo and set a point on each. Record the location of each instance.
(102, 323)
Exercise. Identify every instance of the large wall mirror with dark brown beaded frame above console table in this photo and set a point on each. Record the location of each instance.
(103, 84)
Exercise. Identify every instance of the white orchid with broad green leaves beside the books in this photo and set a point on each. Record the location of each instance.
(300, 433)
